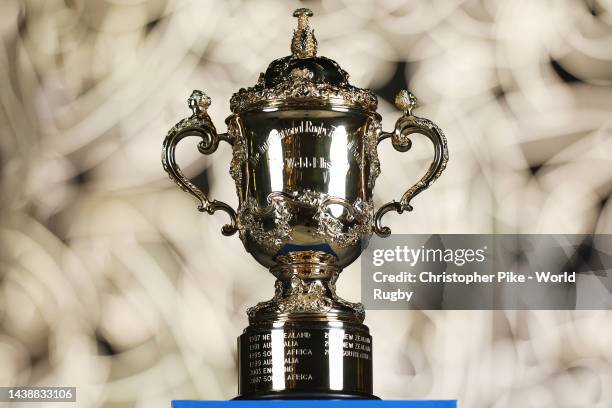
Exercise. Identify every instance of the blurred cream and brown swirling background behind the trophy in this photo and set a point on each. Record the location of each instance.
(111, 281)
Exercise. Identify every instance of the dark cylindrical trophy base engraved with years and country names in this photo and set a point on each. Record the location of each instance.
(305, 359)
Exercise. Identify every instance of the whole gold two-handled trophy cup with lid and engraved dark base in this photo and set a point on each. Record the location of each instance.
(305, 163)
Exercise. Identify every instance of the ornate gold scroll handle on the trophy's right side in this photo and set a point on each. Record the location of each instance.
(404, 127)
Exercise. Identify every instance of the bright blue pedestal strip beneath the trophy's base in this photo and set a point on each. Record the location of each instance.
(315, 403)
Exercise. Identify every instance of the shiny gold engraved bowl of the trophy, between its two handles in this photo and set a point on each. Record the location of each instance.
(305, 179)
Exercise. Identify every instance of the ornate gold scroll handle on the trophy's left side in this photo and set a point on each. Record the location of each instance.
(198, 124)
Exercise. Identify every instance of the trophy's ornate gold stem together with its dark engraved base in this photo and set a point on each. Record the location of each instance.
(306, 342)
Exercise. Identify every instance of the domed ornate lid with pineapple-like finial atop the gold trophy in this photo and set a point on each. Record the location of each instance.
(303, 79)
